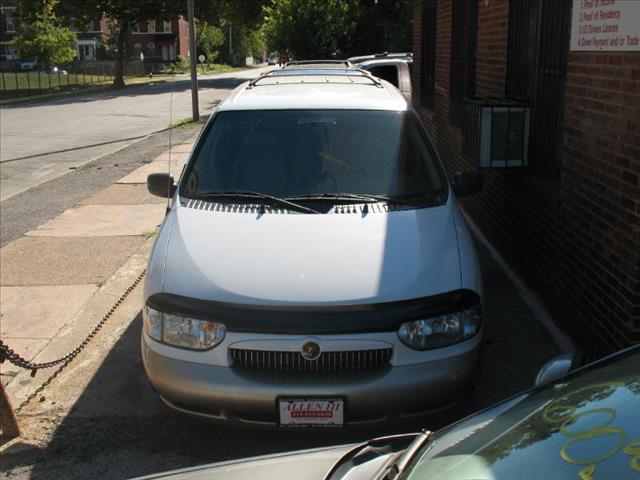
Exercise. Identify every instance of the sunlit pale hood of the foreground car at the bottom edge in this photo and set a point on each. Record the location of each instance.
(303, 465)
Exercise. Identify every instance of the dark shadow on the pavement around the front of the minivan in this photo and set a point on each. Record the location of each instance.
(119, 429)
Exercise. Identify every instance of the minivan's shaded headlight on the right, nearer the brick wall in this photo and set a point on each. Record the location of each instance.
(441, 331)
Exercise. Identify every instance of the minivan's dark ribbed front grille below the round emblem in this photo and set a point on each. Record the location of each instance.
(292, 362)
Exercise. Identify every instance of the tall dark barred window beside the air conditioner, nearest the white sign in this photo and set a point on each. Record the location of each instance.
(536, 73)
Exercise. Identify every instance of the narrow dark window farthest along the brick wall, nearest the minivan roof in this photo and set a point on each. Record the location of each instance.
(428, 53)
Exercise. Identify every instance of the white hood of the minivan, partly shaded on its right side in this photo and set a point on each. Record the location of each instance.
(293, 258)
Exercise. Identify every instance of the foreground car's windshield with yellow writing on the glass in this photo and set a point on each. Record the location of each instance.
(585, 428)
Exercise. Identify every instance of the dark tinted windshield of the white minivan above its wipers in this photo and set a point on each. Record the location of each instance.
(290, 153)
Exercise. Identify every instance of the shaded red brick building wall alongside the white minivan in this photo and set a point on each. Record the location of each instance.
(569, 222)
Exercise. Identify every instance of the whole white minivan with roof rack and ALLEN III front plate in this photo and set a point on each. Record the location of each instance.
(313, 261)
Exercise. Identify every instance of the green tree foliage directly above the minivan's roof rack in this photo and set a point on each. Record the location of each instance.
(310, 28)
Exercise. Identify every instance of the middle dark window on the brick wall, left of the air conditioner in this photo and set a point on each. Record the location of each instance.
(463, 56)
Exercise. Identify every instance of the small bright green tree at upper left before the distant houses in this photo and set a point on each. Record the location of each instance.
(42, 37)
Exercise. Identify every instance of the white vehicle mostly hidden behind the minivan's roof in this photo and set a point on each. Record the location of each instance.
(395, 68)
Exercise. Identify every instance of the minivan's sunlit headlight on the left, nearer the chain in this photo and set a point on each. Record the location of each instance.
(183, 332)
